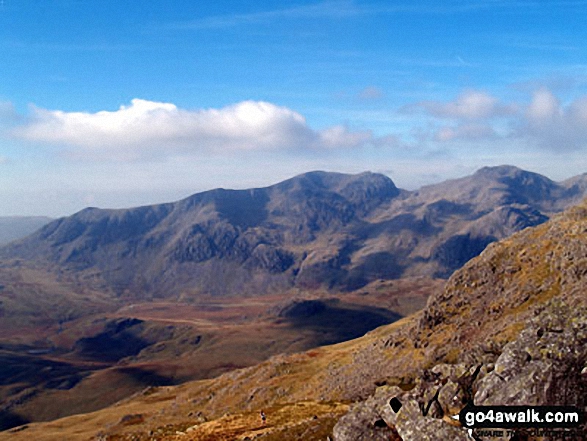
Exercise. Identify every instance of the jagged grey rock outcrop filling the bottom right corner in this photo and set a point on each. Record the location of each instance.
(545, 366)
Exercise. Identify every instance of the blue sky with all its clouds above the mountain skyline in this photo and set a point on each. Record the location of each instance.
(123, 103)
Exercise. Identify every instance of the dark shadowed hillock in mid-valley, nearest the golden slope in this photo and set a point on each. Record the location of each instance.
(332, 322)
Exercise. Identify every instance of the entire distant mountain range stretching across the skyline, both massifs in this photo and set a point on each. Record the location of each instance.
(315, 230)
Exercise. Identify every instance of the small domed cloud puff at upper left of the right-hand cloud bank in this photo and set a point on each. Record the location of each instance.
(470, 105)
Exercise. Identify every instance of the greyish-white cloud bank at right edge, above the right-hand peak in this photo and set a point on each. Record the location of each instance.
(542, 123)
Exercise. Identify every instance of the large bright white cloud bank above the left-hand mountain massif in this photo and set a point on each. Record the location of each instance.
(146, 129)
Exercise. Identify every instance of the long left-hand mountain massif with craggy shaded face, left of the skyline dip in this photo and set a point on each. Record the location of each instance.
(187, 245)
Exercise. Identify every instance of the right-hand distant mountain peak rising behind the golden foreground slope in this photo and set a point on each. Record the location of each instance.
(462, 216)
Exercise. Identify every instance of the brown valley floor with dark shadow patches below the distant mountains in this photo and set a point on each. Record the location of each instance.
(101, 354)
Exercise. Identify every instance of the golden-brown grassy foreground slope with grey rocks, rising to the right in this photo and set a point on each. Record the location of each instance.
(468, 335)
